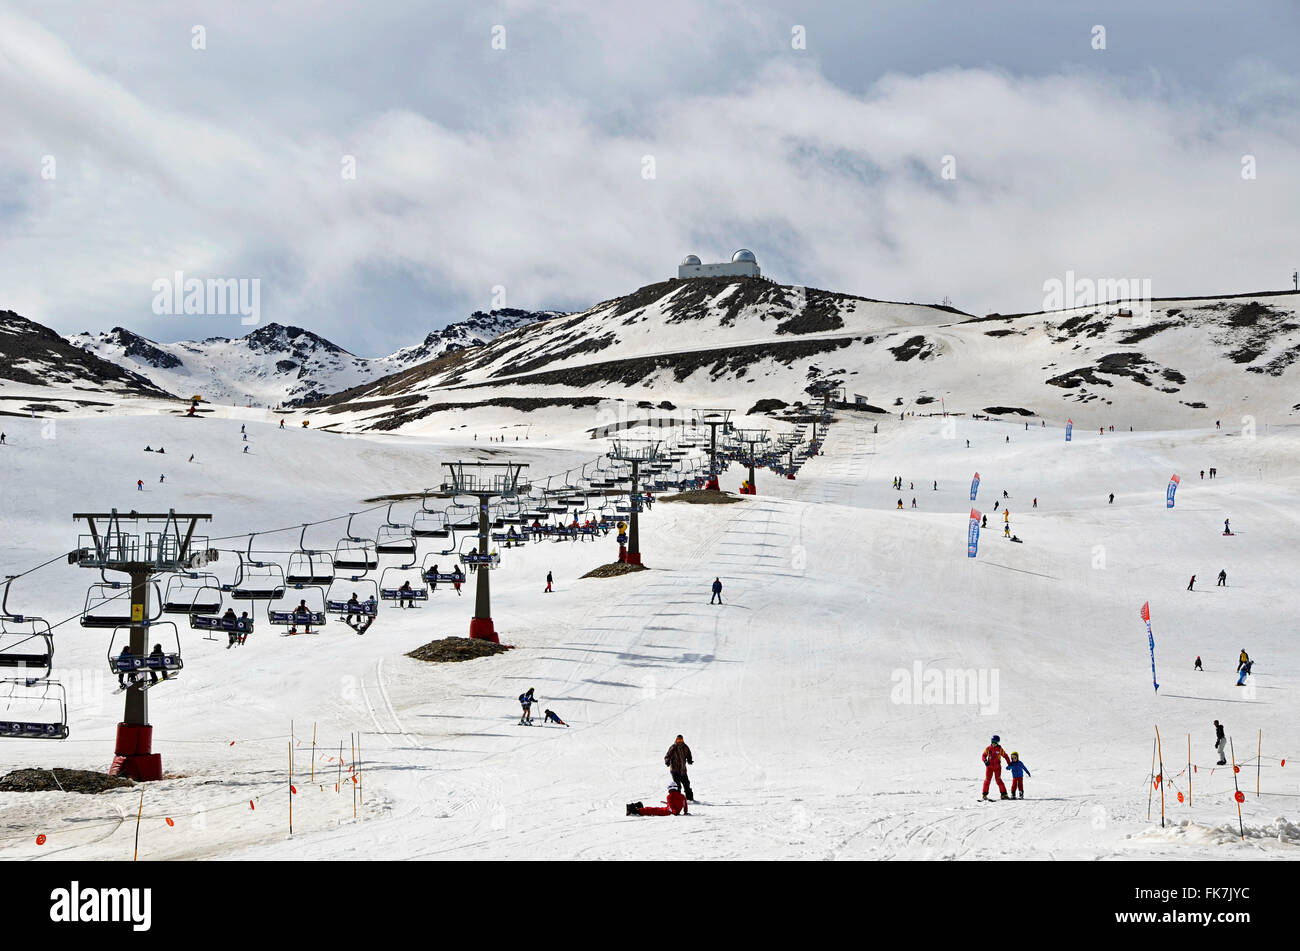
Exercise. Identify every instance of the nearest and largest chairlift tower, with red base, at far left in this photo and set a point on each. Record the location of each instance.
(111, 548)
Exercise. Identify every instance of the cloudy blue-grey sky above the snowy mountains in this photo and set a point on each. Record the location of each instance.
(609, 140)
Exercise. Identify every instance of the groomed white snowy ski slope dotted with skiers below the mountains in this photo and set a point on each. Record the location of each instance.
(787, 693)
